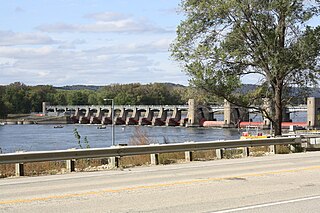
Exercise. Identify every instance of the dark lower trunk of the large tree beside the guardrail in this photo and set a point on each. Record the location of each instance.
(278, 109)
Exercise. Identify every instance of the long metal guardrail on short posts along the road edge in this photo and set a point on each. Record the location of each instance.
(154, 150)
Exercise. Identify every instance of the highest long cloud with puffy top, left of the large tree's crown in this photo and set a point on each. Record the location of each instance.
(105, 23)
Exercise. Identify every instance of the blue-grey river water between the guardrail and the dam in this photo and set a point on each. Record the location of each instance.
(45, 137)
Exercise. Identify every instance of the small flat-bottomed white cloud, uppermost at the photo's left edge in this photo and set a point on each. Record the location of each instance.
(9, 38)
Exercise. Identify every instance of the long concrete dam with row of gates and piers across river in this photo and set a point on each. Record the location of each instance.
(175, 115)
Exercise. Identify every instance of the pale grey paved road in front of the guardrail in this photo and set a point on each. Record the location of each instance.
(275, 183)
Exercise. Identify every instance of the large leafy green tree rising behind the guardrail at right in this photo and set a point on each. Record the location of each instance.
(220, 43)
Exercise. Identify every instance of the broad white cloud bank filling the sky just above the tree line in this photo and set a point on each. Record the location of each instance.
(47, 65)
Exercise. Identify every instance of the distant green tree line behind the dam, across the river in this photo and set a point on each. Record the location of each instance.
(18, 98)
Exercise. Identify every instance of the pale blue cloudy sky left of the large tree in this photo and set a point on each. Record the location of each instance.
(90, 42)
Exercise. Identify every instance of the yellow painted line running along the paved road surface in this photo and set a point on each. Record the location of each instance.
(54, 197)
